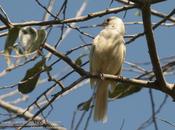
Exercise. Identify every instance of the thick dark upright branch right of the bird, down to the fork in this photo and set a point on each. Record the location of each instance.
(146, 16)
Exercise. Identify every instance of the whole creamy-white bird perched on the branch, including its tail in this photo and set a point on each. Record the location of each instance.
(107, 56)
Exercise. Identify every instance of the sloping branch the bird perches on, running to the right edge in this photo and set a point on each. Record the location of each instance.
(167, 88)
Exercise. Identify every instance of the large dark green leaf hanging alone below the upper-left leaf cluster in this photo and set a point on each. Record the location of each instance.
(28, 83)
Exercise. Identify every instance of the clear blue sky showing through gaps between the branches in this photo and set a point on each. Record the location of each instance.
(133, 110)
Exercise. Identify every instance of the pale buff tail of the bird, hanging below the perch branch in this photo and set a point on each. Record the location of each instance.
(101, 96)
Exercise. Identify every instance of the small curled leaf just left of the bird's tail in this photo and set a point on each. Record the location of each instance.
(84, 106)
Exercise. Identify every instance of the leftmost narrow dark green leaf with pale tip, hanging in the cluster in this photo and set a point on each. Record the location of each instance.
(10, 41)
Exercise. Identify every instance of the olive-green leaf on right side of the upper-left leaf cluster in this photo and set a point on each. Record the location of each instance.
(39, 41)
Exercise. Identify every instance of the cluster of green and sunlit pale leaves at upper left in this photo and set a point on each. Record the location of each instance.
(29, 40)
